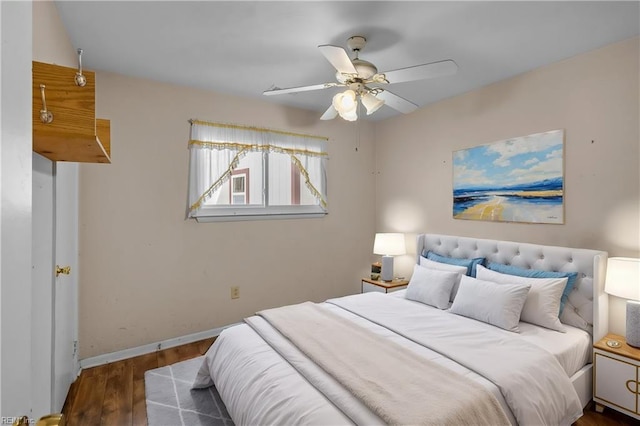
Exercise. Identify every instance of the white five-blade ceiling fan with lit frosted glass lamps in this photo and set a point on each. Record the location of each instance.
(364, 82)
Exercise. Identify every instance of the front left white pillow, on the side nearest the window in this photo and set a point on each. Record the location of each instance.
(431, 287)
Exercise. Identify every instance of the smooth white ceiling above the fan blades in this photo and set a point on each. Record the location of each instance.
(246, 47)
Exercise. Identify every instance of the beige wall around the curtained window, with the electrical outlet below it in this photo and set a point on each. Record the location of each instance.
(147, 274)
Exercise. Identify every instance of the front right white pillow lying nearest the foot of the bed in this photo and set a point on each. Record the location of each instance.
(493, 303)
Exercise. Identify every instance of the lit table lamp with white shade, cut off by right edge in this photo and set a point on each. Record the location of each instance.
(623, 280)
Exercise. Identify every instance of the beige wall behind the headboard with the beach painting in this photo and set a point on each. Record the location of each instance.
(593, 97)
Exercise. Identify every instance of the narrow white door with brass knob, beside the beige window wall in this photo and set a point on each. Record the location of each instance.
(65, 295)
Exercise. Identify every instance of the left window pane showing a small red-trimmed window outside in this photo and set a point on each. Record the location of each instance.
(245, 185)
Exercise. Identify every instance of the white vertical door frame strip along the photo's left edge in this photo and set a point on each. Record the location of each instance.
(16, 208)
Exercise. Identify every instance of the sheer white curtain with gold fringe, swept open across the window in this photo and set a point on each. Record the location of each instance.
(216, 149)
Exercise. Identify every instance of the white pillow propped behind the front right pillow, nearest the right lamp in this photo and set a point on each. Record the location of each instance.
(542, 306)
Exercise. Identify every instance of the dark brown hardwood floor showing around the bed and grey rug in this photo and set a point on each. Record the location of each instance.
(113, 394)
